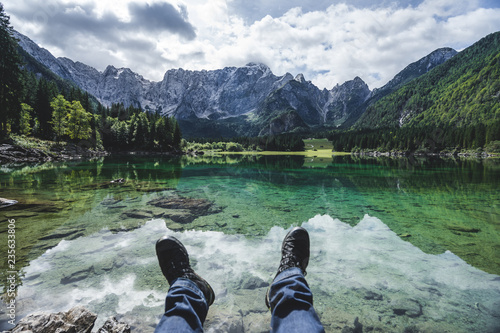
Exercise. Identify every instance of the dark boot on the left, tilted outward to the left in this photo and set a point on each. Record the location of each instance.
(174, 263)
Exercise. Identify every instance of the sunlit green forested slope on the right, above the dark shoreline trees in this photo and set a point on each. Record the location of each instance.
(463, 91)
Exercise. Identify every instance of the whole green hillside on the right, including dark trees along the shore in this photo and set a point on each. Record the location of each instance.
(455, 105)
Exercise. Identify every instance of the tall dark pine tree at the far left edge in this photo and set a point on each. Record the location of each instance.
(10, 85)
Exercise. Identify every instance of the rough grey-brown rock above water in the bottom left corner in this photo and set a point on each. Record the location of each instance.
(77, 320)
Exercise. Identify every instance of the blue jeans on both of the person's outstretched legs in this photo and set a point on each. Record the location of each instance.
(290, 299)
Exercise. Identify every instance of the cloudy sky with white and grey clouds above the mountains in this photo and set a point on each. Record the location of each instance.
(329, 41)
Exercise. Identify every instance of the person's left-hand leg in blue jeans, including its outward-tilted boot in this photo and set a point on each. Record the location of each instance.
(189, 296)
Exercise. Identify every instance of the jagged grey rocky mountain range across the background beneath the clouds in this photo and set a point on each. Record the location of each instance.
(234, 101)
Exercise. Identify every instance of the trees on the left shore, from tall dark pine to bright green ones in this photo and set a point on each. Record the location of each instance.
(32, 105)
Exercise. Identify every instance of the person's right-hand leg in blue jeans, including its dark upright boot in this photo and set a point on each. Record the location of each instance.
(289, 297)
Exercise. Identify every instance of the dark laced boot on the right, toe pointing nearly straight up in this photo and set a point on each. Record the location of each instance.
(294, 253)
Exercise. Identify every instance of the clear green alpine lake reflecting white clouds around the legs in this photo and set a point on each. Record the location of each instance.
(397, 244)
